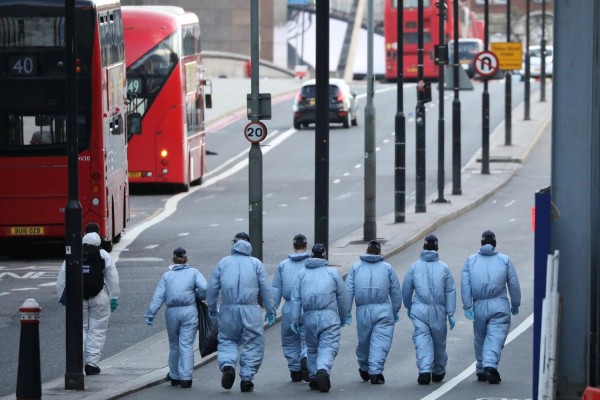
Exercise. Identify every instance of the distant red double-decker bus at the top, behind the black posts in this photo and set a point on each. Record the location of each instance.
(468, 27)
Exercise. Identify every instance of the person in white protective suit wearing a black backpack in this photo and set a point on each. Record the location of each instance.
(100, 297)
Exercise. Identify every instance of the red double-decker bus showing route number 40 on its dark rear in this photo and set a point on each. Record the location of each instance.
(33, 122)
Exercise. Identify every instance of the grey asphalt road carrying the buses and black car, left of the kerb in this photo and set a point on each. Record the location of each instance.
(203, 221)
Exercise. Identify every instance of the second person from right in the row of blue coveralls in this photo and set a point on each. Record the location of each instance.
(429, 296)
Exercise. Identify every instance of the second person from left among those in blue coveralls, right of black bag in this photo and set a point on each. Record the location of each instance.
(240, 278)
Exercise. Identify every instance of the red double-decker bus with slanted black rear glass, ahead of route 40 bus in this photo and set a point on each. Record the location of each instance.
(166, 86)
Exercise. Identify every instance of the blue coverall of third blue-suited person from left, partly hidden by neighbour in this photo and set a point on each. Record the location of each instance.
(286, 275)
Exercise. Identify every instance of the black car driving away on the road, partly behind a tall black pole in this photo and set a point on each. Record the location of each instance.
(343, 106)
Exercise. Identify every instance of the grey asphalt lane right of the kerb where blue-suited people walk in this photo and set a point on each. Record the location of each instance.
(508, 213)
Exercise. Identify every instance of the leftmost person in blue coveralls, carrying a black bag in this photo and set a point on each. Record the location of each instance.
(178, 289)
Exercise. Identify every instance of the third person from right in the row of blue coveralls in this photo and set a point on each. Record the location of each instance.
(373, 284)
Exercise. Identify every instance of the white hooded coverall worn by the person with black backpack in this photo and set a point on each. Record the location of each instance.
(96, 310)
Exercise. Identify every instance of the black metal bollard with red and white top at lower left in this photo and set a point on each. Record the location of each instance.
(29, 380)
